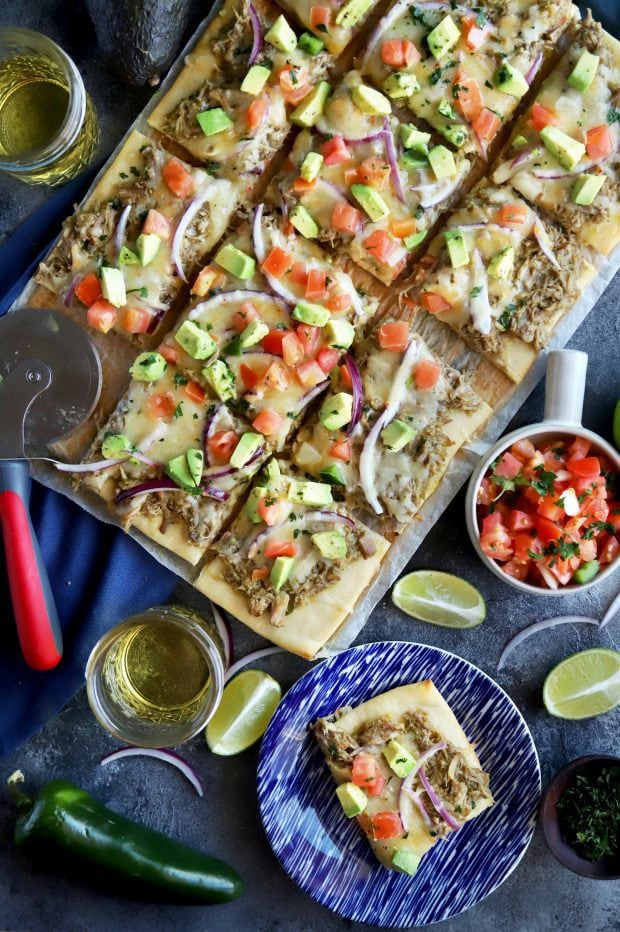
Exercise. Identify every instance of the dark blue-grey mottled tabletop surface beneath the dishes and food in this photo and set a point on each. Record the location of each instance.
(540, 896)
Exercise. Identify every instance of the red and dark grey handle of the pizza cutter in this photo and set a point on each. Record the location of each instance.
(35, 612)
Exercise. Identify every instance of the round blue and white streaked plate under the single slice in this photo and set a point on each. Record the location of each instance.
(329, 857)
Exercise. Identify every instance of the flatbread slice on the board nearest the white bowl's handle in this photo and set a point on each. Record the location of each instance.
(502, 275)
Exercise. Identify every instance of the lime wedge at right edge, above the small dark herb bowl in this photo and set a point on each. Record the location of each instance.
(584, 684)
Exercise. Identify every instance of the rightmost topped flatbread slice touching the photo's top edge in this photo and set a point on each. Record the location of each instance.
(470, 67)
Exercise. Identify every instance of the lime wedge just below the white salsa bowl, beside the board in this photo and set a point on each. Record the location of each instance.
(440, 598)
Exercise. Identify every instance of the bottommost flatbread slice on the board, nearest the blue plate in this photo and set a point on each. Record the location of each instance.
(294, 564)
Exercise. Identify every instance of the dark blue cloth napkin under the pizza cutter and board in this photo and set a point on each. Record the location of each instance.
(99, 575)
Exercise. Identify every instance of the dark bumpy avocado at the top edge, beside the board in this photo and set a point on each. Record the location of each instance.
(140, 39)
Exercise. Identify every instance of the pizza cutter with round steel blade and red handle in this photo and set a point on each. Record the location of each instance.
(50, 382)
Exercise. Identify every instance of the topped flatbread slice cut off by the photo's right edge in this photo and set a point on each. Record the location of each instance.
(577, 183)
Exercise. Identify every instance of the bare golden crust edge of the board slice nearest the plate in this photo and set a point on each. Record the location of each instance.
(310, 626)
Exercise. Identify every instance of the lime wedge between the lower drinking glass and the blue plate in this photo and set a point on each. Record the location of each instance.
(248, 702)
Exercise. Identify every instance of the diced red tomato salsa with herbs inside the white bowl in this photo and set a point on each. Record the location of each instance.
(547, 514)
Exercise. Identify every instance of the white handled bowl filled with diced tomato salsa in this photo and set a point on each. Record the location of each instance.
(543, 504)
